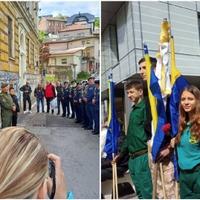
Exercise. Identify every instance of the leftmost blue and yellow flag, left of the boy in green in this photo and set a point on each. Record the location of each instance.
(111, 145)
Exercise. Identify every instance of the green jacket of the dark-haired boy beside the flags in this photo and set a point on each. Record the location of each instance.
(136, 138)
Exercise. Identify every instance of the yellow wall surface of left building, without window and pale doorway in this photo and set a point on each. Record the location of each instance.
(12, 64)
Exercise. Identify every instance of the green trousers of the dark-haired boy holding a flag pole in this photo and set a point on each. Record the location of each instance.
(141, 176)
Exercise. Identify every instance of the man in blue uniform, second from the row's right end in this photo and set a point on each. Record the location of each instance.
(88, 100)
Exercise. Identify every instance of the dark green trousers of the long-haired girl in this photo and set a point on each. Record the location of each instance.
(190, 185)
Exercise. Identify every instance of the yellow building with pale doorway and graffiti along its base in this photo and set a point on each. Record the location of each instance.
(19, 44)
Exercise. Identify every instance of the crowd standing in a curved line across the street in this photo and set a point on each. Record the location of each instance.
(76, 100)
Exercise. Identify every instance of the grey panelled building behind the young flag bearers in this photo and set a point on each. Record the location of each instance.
(127, 25)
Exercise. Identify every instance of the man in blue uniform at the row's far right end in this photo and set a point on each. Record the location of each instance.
(95, 101)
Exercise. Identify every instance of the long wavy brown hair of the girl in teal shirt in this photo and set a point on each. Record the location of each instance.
(183, 116)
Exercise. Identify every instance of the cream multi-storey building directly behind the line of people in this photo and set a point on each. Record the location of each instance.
(69, 57)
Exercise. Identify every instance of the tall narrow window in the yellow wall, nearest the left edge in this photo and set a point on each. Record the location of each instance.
(10, 38)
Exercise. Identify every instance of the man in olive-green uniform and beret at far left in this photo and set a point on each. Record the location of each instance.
(7, 106)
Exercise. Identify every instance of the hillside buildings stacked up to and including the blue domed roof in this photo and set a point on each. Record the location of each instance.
(75, 49)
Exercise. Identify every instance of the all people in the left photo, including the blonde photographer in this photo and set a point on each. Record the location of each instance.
(28, 170)
